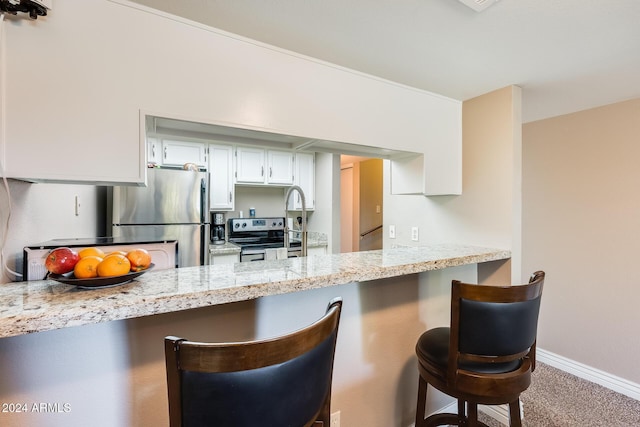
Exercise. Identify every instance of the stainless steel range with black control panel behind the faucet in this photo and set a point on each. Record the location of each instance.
(255, 235)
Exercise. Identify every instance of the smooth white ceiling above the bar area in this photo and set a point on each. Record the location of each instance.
(567, 55)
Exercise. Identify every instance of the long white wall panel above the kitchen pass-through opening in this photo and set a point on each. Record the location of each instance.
(77, 79)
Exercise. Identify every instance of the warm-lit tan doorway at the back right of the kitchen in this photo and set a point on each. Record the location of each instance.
(361, 203)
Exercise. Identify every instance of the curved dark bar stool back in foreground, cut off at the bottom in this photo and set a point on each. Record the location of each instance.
(276, 382)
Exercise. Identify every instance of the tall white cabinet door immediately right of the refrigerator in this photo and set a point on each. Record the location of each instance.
(222, 188)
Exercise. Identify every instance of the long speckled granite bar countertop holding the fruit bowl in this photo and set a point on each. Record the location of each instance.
(27, 307)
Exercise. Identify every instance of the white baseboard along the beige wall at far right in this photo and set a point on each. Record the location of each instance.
(588, 373)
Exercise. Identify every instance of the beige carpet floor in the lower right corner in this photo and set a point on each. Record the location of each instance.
(558, 399)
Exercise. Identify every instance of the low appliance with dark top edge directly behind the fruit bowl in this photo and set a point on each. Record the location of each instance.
(164, 253)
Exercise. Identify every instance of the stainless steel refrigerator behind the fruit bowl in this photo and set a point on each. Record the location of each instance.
(173, 206)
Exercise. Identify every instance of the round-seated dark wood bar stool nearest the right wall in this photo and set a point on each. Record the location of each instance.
(487, 354)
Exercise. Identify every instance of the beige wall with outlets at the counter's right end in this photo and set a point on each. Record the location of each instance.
(488, 211)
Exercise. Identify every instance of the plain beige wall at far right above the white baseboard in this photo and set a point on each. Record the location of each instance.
(581, 223)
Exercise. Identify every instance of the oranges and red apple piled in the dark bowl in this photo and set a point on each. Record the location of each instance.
(92, 262)
